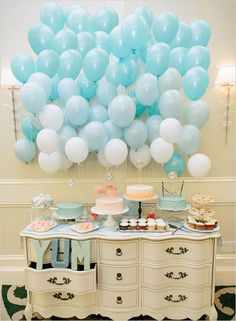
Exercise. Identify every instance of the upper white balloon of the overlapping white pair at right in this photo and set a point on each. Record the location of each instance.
(170, 130)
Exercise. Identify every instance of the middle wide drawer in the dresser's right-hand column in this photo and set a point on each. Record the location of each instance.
(176, 275)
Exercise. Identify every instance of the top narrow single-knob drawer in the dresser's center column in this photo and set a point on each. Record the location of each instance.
(118, 251)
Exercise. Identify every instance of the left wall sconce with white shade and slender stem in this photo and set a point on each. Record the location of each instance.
(9, 82)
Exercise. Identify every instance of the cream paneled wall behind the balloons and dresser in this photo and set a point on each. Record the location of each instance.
(19, 182)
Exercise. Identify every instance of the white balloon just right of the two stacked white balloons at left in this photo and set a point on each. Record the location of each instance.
(76, 149)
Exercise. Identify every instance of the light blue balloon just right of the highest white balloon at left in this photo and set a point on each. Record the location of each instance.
(77, 110)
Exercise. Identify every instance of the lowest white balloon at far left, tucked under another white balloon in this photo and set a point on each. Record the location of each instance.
(49, 163)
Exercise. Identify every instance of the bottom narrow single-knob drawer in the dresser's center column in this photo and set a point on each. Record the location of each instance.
(119, 299)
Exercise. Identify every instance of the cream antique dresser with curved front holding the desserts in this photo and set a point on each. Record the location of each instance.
(131, 274)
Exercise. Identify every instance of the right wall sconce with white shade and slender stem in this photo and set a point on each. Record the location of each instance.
(226, 77)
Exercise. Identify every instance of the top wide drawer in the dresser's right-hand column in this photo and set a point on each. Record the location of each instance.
(178, 250)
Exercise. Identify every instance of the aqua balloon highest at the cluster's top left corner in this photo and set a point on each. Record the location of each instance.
(53, 16)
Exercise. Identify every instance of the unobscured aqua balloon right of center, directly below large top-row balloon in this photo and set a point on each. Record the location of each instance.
(157, 59)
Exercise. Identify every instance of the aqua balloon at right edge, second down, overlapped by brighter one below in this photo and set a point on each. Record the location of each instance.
(197, 56)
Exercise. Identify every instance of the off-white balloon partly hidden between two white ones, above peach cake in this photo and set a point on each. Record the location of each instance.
(141, 157)
